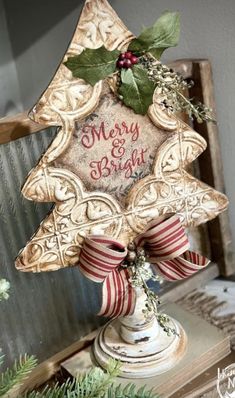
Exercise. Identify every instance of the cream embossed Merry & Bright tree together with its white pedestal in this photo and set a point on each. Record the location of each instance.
(95, 199)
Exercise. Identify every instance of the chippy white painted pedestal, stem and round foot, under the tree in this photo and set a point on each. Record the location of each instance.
(140, 344)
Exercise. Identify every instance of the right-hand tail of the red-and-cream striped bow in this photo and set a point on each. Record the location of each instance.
(181, 267)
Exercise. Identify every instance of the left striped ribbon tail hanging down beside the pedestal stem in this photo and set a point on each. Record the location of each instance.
(118, 296)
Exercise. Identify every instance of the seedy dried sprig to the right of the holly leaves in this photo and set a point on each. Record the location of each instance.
(171, 86)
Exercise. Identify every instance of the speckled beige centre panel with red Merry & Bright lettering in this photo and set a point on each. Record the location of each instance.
(112, 148)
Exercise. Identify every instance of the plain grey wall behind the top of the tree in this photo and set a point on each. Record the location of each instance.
(39, 33)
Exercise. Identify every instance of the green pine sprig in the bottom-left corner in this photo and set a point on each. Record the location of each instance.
(17, 374)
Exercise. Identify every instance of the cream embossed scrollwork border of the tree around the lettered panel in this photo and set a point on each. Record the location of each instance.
(78, 212)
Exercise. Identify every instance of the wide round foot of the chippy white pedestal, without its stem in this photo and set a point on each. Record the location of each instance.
(148, 356)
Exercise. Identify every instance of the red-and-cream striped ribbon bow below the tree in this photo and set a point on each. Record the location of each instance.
(166, 245)
